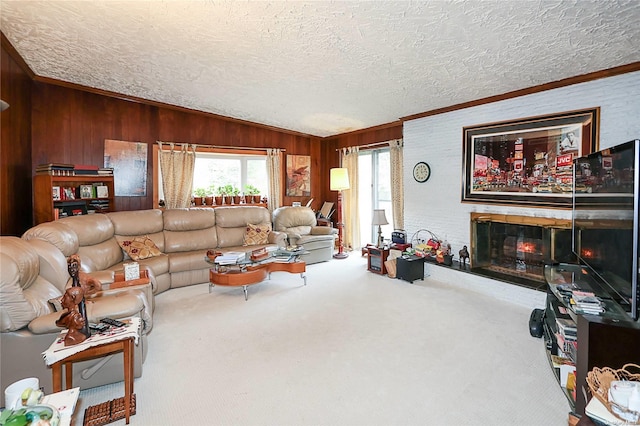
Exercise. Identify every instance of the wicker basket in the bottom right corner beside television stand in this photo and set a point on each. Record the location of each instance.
(599, 381)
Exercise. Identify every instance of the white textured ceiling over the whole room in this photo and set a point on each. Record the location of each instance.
(320, 68)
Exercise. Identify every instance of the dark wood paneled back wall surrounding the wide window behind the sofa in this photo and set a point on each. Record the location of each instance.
(74, 132)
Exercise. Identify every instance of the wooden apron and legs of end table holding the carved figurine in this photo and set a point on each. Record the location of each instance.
(125, 346)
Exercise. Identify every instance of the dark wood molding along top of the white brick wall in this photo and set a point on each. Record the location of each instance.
(624, 69)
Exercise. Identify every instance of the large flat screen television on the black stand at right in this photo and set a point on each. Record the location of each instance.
(606, 191)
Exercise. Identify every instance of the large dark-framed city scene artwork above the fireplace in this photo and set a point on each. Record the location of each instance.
(528, 161)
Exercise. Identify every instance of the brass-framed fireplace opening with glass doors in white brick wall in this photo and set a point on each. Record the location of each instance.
(515, 248)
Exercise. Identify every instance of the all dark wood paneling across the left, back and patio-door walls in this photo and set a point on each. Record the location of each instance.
(51, 121)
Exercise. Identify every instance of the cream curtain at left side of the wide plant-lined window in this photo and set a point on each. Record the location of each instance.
(176, 168)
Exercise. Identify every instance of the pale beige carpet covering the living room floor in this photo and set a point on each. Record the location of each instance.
(350, 348)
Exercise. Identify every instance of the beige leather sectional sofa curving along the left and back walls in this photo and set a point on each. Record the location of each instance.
(33, 271)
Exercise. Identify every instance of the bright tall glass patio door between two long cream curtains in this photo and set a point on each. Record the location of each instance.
(374, 184)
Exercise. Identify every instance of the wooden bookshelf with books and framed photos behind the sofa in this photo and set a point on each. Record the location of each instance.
(43, 195)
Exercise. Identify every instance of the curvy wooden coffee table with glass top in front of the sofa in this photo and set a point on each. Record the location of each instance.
(246, 272)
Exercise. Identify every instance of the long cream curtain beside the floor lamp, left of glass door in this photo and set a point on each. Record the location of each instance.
(350, 205)
